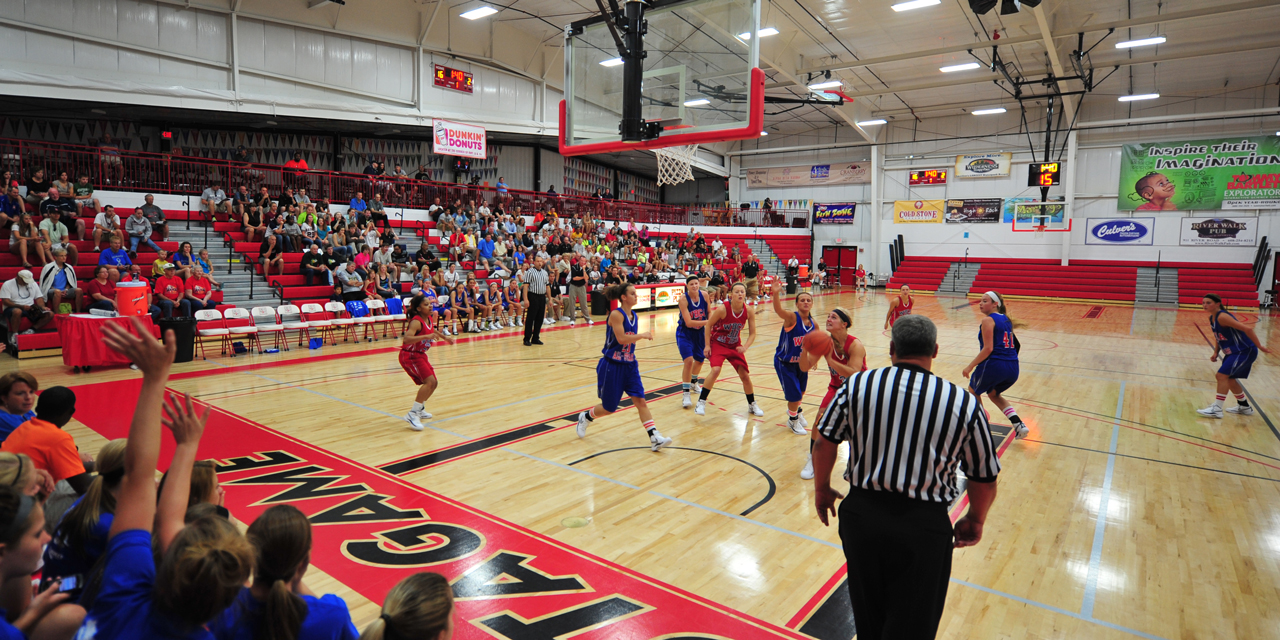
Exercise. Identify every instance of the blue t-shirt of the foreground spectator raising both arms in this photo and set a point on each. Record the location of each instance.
(124, 610)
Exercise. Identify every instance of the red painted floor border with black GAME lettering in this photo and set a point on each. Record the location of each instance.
(372, 529)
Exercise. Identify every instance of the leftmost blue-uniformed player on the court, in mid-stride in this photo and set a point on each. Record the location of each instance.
(618, 373)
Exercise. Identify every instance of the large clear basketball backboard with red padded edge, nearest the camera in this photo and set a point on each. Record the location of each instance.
(702, 79)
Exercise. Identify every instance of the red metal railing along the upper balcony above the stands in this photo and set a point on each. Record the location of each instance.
(164, 173)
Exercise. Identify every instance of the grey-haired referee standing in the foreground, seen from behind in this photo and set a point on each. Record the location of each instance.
(908, 431)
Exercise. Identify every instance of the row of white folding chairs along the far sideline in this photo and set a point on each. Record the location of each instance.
(310, 322)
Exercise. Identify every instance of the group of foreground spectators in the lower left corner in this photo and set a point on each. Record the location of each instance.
(117, 555)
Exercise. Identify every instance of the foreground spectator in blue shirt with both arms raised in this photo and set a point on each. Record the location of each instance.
(204, 565)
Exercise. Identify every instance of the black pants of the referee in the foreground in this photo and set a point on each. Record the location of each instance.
(899, 554)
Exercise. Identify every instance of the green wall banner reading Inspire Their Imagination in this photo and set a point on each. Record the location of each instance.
(1229, 173)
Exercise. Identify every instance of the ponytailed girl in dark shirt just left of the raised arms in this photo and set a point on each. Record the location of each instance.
(80, 538)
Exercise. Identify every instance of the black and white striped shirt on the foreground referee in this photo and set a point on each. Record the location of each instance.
(908, 432)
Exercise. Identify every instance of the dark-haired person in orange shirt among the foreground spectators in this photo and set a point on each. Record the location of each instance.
(48, 446)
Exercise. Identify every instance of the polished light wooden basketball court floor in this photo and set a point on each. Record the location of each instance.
(1188, 545)
